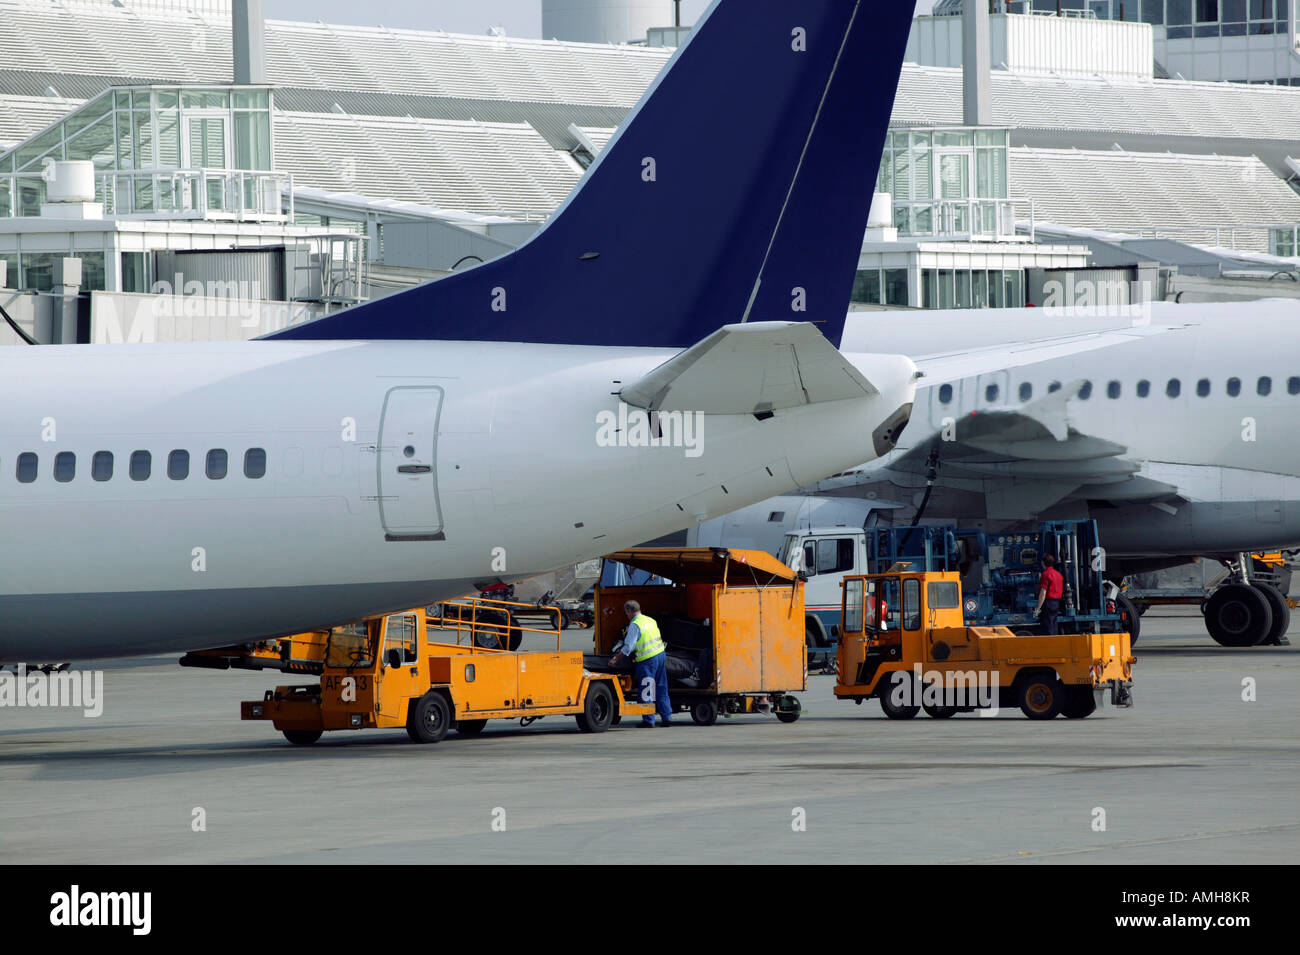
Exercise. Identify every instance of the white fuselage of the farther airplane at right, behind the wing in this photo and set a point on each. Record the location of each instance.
(1217, 420)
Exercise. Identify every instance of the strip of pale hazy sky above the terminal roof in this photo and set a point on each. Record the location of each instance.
(519, 18)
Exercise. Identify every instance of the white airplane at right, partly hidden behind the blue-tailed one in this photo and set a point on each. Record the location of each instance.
(1180, 445)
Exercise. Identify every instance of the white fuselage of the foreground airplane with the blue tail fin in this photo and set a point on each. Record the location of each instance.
(397, 475)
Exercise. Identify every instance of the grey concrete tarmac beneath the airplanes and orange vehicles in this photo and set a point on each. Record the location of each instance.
(1193, 774)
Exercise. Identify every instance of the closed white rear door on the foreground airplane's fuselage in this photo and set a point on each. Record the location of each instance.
(408, 465)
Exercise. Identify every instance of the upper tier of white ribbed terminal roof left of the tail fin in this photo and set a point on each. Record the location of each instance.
(187, 47)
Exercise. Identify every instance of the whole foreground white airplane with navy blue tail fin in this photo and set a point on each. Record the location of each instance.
(656, 355)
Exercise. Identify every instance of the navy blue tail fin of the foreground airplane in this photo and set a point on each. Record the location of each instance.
(738, 190)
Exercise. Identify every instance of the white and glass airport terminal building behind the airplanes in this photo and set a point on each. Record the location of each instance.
(171, 146)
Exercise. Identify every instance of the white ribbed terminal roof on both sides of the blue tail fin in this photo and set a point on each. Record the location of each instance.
(483, 124)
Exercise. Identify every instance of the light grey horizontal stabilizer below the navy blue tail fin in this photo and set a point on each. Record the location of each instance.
(752, 368)
